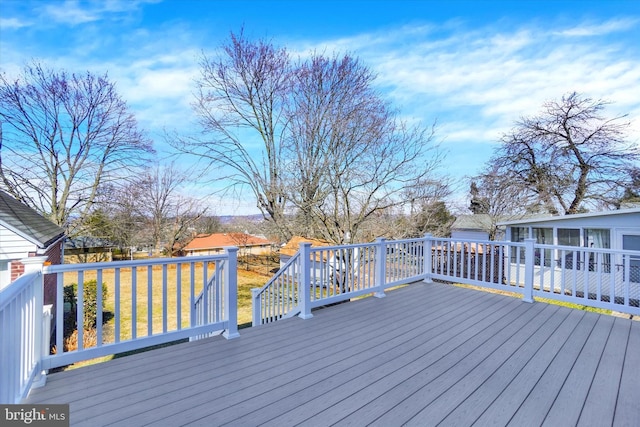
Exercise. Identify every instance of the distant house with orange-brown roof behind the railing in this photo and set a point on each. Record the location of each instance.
(211, 244)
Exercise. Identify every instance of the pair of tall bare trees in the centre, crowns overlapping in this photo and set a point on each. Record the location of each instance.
(331, 152)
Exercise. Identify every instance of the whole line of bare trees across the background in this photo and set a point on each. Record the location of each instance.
(310, 139)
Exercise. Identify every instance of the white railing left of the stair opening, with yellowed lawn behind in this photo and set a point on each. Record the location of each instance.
(149, 302)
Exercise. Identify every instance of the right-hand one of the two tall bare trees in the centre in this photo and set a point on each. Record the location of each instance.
(350, 156)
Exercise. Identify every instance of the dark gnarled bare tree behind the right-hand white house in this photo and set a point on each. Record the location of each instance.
(570, 156)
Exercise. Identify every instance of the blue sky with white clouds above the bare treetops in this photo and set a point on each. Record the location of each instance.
(474, 66)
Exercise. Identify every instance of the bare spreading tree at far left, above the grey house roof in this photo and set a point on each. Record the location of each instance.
(65, 136)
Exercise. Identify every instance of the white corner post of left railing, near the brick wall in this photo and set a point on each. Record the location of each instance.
(41, 343)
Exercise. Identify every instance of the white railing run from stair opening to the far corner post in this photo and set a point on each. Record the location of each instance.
(336, 273)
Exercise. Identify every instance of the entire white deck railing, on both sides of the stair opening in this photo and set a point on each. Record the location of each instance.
(158, 301)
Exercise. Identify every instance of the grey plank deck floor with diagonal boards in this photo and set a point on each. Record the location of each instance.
(427, 354)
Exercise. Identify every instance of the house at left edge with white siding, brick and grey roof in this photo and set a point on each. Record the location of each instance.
(25, 233)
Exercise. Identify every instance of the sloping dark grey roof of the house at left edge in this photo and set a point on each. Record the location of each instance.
(27, 223)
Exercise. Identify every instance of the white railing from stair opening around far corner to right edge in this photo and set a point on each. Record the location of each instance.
(603, 278)
